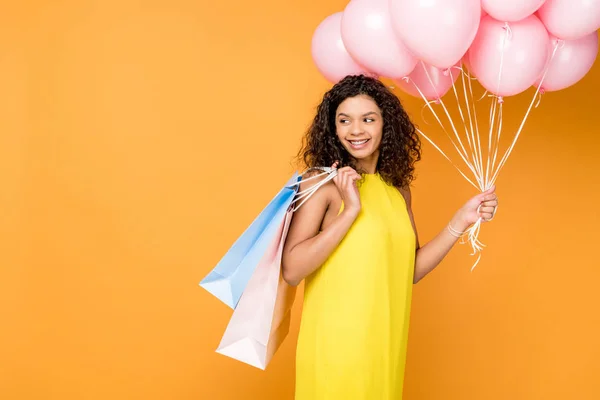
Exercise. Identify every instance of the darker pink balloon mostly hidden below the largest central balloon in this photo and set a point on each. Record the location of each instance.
(433, 82)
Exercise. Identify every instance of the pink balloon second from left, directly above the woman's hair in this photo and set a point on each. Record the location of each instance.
(370, 39)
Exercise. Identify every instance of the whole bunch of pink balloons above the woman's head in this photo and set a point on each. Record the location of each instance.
(508, 45)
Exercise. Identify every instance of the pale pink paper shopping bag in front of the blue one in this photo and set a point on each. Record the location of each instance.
(261, 320)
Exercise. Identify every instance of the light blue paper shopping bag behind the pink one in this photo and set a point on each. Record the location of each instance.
(230, 277)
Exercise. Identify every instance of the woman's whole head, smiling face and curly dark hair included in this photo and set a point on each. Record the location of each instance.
(360, 108)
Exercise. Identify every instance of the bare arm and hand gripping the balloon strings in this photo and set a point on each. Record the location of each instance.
(431, 254)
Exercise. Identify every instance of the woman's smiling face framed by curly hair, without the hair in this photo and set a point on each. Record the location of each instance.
(359, 127)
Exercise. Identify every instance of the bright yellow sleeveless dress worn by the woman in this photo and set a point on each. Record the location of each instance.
(355, 318)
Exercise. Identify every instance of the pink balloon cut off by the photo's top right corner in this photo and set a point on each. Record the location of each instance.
(570, 19)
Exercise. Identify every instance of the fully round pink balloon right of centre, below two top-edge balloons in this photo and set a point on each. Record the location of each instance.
(508, 58)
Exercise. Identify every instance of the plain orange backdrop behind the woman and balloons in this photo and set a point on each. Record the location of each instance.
(139, 139)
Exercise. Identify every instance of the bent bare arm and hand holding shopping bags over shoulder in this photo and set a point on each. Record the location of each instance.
(306, 249)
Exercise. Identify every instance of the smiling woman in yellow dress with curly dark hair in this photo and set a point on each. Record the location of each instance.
(356, 244)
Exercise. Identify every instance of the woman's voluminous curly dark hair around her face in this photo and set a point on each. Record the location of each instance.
(400, 146)
